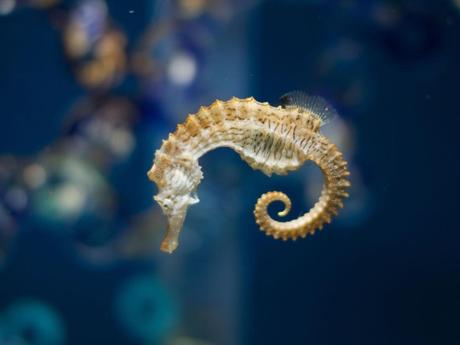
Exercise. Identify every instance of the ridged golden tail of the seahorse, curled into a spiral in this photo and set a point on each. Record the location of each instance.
(335, 171)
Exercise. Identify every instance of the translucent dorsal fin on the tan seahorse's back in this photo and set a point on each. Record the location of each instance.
(314, 104)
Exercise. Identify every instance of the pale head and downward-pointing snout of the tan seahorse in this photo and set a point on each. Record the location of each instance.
(177, 179)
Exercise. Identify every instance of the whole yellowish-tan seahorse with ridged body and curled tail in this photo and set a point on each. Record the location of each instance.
(273, 139)
